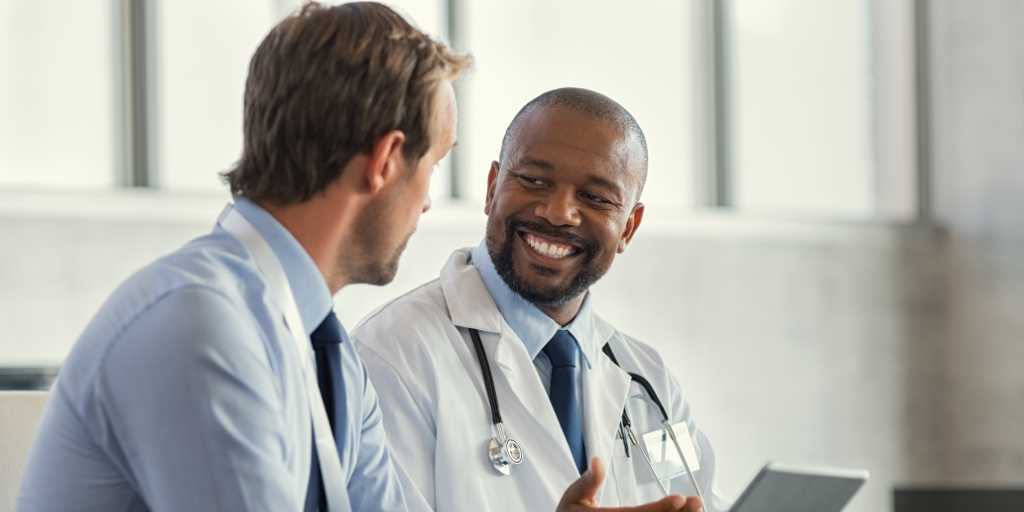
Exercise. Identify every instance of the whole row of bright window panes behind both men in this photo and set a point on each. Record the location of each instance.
(813, 102)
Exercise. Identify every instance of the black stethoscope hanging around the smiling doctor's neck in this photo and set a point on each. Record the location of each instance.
(505, 452)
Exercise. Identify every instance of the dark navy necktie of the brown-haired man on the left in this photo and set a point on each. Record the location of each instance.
(327, 340)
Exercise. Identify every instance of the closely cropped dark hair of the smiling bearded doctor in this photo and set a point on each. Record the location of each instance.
(593, 105)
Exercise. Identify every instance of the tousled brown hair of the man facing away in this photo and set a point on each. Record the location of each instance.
(324, 87)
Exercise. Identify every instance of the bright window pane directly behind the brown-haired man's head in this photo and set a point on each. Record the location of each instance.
(203, 55)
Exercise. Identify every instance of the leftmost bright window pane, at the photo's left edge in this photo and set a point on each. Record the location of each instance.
(58, 96)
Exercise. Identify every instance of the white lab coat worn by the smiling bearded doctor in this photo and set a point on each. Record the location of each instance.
(422, 363)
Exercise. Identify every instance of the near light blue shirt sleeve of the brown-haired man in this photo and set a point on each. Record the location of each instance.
(189, 398)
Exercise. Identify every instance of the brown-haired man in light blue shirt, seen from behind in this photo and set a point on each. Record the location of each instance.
(186, 392)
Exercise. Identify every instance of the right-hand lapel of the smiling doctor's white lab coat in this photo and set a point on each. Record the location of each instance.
(606, 391)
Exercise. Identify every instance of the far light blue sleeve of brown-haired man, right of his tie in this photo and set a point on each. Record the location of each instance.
(374, 485)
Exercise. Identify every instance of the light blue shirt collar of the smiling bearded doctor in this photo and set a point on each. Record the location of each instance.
(533, 326)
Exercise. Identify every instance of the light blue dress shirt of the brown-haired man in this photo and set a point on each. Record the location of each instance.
(185, 394)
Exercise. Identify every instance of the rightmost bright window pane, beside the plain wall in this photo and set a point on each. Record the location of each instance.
(801, 107)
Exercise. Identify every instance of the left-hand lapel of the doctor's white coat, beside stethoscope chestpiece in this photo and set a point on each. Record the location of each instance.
(536, 425)
